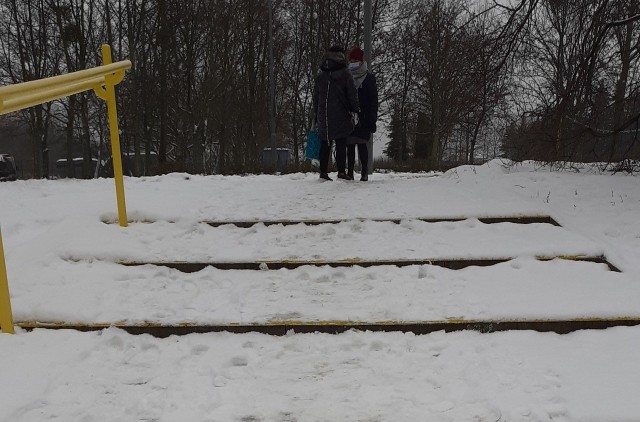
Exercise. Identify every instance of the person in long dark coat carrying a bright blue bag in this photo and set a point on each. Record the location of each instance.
(334, 99)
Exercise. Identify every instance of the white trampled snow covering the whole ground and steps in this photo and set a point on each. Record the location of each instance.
(62, 261)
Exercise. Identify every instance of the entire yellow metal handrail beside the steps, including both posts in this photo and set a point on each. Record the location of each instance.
(102, 80)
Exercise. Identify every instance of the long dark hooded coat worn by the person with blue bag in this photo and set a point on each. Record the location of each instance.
(334, 98)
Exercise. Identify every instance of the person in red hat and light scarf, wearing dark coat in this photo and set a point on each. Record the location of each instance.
(365, 83)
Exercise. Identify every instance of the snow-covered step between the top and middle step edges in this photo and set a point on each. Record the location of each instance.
(355, 239)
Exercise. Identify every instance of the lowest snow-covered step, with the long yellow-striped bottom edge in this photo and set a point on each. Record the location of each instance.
(522, 291)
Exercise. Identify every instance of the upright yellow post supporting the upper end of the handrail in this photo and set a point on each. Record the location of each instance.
(110, 98)
